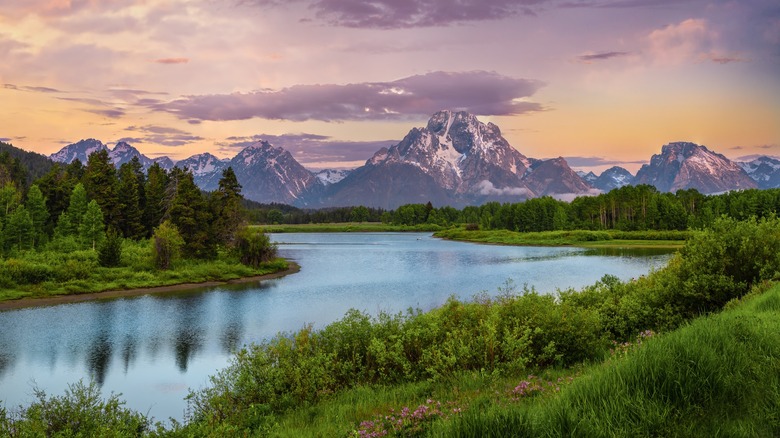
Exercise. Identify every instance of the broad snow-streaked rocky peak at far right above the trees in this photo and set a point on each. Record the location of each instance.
(684, 165)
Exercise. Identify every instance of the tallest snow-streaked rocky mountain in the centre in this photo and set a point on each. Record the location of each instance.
(455, 160)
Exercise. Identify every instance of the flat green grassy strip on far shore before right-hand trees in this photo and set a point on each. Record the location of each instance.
(586, 238)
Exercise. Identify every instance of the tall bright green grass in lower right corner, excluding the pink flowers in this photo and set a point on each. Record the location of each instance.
(718, 376)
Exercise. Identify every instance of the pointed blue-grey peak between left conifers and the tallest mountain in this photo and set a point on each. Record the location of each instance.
(270, 174)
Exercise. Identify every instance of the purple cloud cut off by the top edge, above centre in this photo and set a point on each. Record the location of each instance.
(396, 14)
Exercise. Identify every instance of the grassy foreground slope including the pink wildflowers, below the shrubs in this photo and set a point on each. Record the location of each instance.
(718, 376)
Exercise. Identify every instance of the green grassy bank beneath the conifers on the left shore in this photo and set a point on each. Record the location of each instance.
(43, 274)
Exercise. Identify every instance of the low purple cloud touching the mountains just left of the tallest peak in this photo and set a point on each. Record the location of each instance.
(311, 149)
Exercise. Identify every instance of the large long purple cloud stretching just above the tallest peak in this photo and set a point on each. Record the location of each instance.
(479, 92)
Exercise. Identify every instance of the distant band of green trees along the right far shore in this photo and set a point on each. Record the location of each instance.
(629, 208)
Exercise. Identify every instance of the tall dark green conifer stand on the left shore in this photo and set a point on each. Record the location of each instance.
(93, 206)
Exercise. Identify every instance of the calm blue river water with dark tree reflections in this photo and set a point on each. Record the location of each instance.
(153, 348)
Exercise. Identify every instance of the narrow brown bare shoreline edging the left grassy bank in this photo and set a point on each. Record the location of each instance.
(21, 303)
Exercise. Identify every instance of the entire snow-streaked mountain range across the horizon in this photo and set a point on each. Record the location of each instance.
(454, 160)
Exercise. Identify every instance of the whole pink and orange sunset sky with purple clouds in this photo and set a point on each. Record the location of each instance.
(599, 82)
